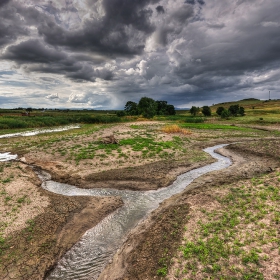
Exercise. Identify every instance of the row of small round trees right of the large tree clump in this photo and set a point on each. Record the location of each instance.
(233, 110)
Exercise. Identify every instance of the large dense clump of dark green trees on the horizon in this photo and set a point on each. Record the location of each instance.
(147, 107)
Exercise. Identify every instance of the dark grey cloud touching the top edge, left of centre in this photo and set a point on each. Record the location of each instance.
(121, 31)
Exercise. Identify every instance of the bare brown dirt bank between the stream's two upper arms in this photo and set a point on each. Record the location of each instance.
(146, 177)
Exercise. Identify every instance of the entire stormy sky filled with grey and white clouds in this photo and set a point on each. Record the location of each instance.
(99, 54)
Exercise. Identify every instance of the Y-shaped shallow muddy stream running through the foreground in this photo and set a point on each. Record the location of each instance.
(93, 252)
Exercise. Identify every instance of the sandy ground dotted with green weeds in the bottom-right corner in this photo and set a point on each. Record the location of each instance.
(237, 238)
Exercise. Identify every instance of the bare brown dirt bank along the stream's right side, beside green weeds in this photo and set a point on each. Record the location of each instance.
(154, 242)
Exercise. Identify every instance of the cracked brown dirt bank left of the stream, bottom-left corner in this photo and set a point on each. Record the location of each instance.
(30, 252)
